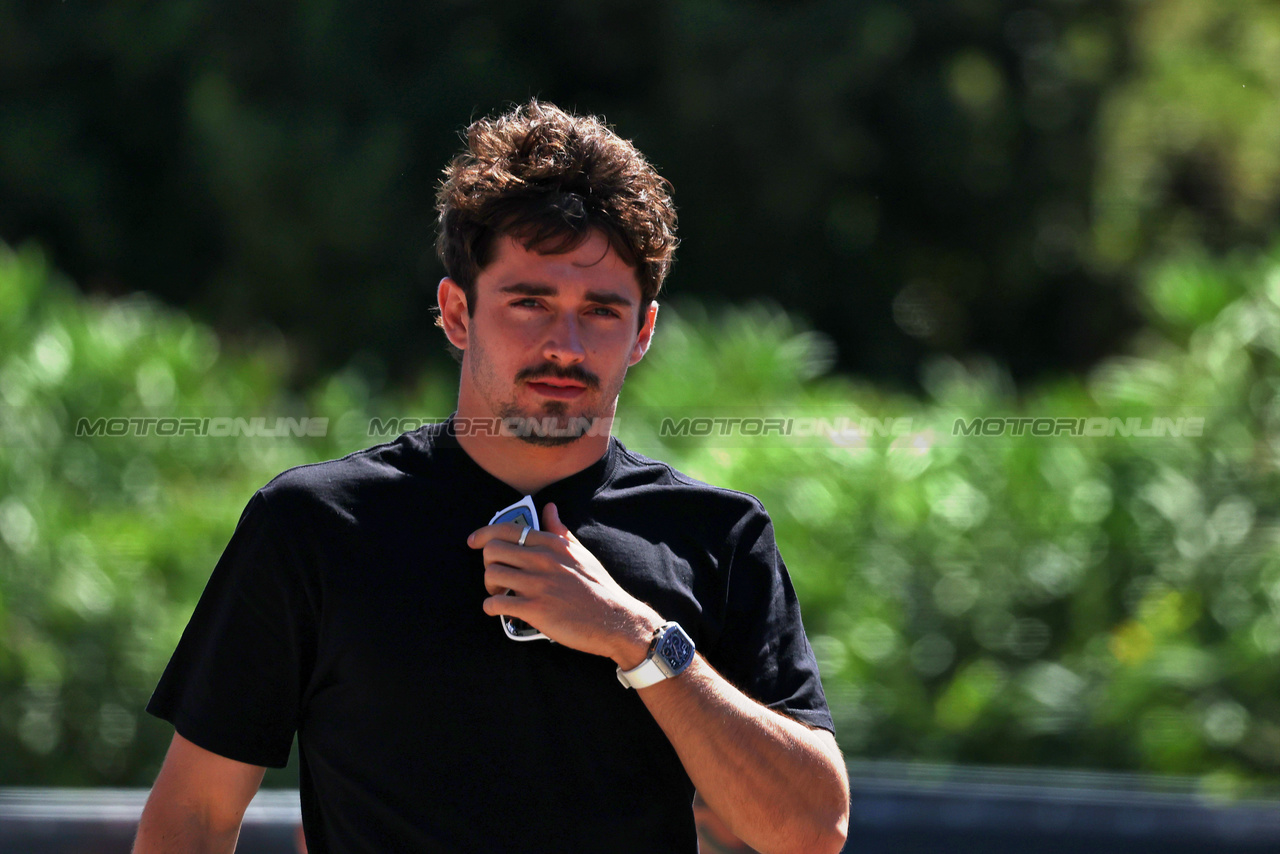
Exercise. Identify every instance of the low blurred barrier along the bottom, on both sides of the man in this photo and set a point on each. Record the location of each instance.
(897, 809)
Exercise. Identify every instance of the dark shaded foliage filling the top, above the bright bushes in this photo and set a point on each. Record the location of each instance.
(916, 177)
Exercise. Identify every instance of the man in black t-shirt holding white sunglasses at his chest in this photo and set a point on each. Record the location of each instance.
(368, 605)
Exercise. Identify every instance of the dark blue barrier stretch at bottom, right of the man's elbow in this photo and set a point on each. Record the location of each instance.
(904, 809)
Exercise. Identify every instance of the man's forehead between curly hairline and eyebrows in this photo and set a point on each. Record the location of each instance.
(592, 266)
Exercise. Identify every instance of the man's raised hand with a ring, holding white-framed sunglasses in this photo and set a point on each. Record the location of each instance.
(563, 591)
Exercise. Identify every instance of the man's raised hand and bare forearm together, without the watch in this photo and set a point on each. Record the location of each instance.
(779, 786)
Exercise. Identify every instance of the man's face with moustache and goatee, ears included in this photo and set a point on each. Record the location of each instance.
(551, 336)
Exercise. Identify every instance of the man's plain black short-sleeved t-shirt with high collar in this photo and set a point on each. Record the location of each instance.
(348, 609)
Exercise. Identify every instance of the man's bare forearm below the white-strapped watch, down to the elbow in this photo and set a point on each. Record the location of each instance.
(772, 780)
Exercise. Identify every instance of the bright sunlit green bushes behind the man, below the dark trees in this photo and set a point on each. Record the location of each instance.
(1073, 601)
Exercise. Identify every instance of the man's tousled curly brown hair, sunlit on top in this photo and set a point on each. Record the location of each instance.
(550, 179)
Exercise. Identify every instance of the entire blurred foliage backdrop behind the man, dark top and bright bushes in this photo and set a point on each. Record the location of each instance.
(1059, 209)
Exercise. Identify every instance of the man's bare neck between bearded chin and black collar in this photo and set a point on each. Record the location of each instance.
(528, 468)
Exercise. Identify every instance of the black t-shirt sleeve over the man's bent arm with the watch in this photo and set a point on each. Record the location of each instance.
(764, 649)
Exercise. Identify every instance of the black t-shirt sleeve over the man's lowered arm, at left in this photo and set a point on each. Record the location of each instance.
(235, 683)
